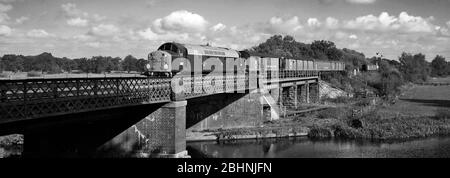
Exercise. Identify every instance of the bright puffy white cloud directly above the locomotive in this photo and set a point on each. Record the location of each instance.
(180, 21)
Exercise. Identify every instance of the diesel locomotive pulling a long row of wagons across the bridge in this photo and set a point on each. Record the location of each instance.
(199, 56)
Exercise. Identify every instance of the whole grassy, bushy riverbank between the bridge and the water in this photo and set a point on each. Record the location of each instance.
(421, 111)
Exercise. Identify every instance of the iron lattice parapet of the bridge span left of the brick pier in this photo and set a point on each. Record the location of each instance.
(30, 98)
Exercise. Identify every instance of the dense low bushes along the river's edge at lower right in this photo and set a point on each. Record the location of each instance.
(378, 127)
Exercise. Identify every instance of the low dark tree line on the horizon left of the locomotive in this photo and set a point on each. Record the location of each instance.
(46, 62)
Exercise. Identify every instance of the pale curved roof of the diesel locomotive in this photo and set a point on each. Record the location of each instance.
(205, 50)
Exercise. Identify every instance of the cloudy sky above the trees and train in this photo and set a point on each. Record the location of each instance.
(85, 28)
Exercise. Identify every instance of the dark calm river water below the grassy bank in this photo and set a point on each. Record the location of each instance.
(436, 147)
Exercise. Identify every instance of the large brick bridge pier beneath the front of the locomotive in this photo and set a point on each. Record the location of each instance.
(168, 133)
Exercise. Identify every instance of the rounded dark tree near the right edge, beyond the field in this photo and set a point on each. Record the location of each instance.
(414, 67)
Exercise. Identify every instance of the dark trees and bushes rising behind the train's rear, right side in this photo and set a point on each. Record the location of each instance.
(386, 81)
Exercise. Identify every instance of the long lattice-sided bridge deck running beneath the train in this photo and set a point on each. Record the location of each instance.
(35, 98)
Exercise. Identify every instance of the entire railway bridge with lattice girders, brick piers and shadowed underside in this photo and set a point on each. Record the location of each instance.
(142, 115)
